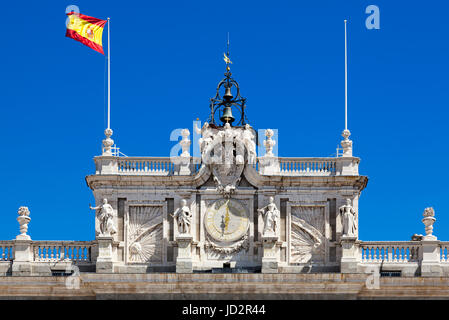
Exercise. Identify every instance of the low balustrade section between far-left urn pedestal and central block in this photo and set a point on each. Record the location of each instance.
(53, 251)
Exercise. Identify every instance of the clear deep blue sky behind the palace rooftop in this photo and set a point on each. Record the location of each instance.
(166, 61)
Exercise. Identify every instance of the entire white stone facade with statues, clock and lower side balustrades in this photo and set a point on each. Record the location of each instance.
(229, 210)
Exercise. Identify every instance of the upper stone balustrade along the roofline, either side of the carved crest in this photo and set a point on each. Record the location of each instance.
(164, 166)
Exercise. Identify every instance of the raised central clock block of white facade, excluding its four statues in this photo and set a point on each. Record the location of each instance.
(307, 194)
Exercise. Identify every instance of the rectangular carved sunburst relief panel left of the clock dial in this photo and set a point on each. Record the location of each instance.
(145, 234)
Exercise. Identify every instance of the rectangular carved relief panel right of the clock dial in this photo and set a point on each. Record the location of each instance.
(307, 239)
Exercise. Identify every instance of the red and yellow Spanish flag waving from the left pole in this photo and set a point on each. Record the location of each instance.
(87, 30)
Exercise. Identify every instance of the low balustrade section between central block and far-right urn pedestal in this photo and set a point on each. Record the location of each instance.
(389, 251)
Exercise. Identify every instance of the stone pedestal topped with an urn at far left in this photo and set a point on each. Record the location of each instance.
(23, 255)
